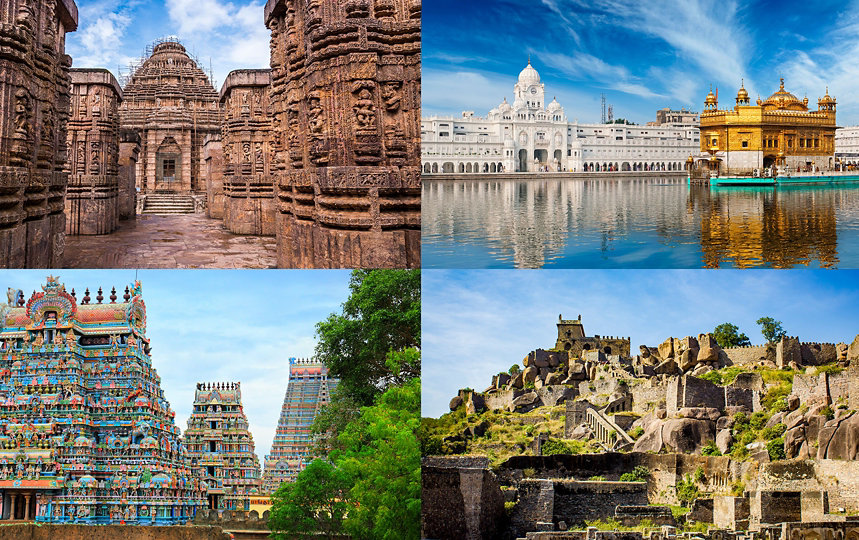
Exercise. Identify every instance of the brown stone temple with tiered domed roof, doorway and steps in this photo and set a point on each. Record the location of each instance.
(173, 105)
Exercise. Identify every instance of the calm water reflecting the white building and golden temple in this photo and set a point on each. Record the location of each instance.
(635, 223)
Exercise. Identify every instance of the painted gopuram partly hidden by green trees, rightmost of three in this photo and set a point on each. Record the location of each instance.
(309, 389)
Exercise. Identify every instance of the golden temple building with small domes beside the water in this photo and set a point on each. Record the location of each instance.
(780, 130)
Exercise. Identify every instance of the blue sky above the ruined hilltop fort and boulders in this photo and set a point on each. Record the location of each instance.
(477, 323)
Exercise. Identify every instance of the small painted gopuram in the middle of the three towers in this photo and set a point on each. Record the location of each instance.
(218, 440)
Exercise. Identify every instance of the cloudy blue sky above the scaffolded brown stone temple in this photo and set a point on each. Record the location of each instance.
(229, 34)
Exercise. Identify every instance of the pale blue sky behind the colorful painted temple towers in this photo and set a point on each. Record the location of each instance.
(219, 326)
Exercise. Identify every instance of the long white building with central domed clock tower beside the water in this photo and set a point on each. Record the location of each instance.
(531, 136)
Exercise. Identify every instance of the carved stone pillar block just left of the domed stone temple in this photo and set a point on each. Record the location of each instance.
(92, 200)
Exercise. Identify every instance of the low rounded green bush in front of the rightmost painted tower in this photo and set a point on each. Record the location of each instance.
(316, 503)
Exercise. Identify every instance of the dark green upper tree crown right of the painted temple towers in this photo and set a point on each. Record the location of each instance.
(382, 314)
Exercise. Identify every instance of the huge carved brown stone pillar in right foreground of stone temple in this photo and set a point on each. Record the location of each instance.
(346, 98)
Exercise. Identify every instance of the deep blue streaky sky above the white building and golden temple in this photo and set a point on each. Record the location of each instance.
(642, 55)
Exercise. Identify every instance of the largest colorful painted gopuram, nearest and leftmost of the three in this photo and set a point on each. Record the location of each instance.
(86, 435)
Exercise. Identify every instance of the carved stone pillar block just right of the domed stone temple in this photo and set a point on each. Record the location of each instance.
(248, 185)
